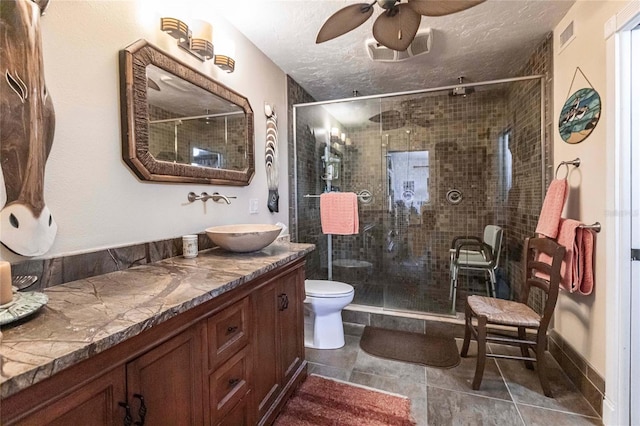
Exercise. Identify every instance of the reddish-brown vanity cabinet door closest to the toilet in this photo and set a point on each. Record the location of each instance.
(290, 323)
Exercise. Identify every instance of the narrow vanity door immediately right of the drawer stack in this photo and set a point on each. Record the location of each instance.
(266, 383)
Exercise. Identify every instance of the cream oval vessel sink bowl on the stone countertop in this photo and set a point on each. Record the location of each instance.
(243, 238)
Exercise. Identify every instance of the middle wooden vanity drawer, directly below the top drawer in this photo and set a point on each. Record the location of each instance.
(228, 384)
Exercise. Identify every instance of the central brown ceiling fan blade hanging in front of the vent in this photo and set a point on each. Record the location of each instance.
(397, 28)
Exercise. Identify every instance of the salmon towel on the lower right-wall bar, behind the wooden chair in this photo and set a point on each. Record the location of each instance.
(577, 266)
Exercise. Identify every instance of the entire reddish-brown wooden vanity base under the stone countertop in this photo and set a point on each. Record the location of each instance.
(231, 361)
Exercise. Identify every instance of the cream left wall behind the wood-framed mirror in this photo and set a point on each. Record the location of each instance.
(96, 200)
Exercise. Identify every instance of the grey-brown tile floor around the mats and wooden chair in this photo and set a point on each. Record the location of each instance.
(509, 395)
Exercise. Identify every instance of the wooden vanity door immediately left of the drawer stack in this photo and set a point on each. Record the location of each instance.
(169, 378)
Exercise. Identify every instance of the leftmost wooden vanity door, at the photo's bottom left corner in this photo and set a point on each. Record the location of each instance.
(95, 404)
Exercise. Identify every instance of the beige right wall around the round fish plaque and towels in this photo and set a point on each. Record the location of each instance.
(581, 319)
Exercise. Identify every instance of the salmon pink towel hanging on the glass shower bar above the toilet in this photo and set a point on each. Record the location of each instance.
(339, 213)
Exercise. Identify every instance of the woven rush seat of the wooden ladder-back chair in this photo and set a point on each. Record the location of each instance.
(505, 312)
